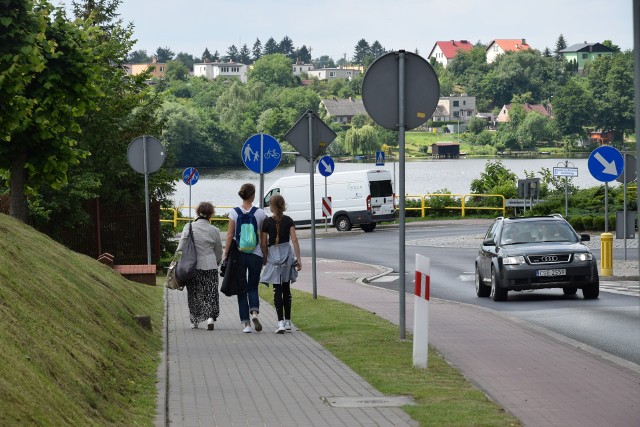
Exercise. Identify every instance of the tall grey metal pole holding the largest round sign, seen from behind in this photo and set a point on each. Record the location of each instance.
(401, 128)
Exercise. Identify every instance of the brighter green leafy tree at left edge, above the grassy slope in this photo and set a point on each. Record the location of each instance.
(51, 81)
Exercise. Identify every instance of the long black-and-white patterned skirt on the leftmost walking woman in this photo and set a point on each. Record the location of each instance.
(203, 297)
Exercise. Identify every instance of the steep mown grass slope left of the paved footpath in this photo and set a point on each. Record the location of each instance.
(71, 351)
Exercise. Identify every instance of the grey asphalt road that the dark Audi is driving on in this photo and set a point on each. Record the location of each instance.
(610, 324)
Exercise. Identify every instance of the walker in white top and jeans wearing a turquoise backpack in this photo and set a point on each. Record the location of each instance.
(245, 222)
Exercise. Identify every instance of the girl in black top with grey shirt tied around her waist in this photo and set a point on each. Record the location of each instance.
(278, 237)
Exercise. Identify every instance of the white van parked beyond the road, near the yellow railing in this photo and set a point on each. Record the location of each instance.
(358, 198)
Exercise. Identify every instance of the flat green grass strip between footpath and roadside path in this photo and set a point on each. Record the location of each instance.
(371, 347)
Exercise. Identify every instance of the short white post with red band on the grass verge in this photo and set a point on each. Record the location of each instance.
(421, 313)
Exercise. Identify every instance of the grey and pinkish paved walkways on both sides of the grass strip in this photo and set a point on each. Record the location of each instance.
(224, 377)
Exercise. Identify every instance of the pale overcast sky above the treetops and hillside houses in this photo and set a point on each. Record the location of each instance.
(334, 27)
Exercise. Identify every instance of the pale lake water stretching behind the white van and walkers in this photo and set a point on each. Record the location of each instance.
(220, 186)
